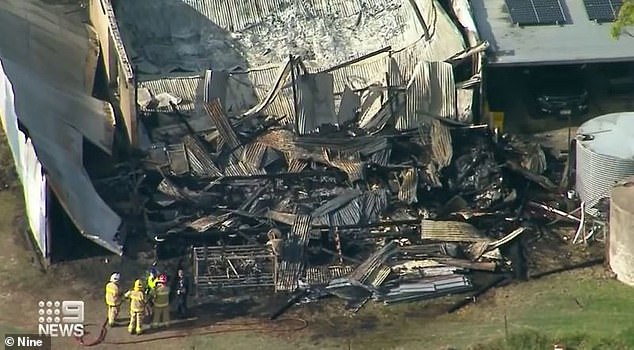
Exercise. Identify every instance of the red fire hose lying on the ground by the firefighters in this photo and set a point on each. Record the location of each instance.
(222, 327)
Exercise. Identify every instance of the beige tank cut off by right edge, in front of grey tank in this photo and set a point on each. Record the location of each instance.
(621, 237)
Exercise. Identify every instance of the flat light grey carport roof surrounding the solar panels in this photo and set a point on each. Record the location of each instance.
(579, 41)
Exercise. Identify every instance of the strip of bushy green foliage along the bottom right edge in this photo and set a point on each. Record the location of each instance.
(538, 341)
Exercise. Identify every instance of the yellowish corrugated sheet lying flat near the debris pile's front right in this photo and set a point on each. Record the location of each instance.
(451, 231)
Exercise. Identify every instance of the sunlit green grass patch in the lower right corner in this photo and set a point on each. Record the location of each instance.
(583, 307)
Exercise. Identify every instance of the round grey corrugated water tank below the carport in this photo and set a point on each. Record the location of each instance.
(605, 155)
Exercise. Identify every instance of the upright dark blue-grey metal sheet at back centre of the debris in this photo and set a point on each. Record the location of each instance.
(315, 102)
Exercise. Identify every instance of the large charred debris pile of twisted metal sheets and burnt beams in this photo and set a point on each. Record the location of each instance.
(361, 214)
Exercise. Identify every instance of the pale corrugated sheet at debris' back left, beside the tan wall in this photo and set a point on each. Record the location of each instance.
(187, 88)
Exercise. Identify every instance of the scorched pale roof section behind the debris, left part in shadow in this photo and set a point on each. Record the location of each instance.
(163, 36)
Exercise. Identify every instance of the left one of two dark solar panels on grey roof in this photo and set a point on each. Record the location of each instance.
(534, 12)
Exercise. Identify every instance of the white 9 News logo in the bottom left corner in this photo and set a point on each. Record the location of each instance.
(61, 318)
